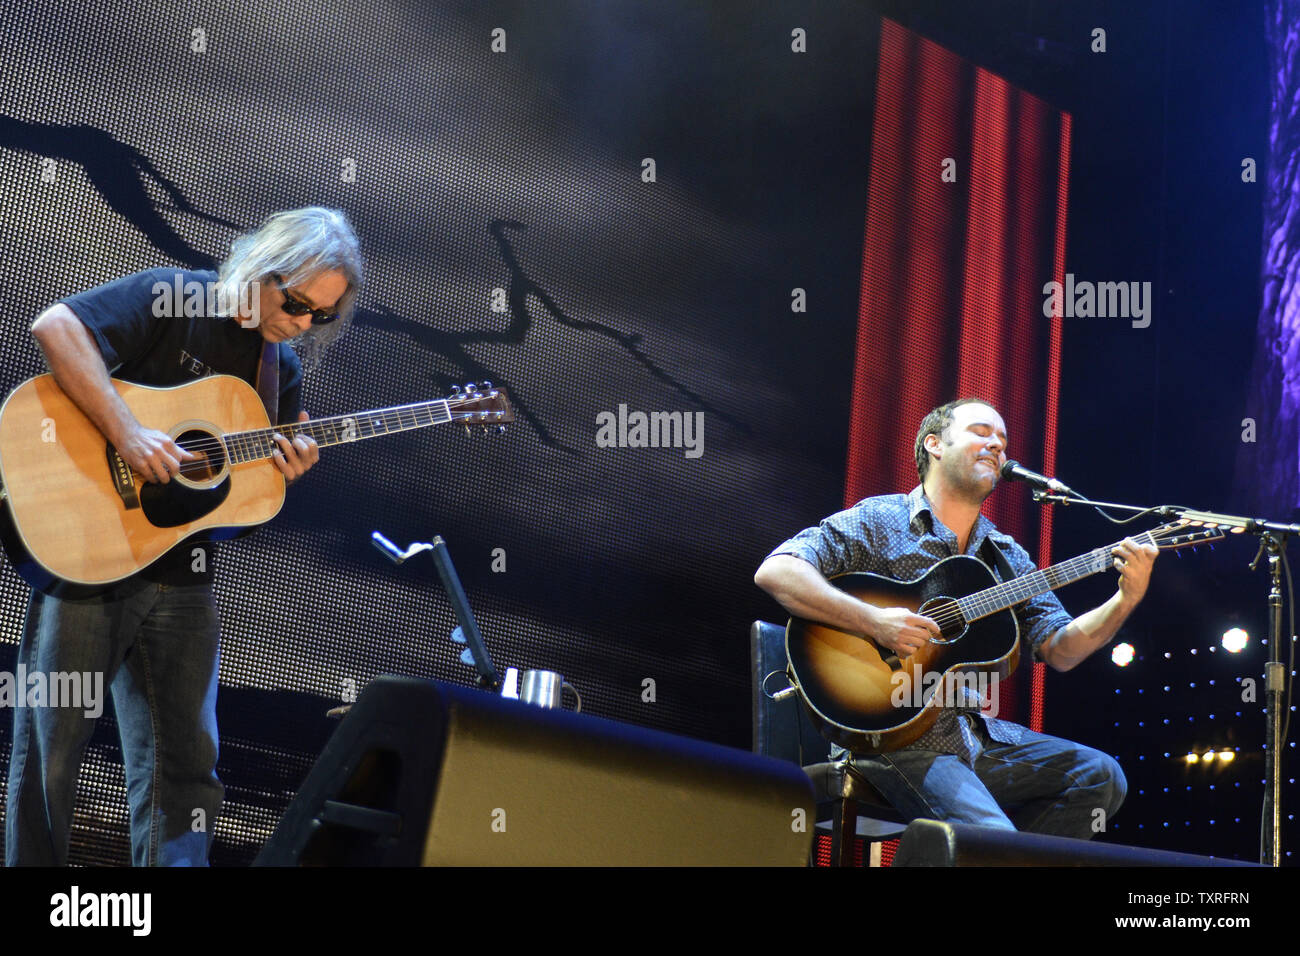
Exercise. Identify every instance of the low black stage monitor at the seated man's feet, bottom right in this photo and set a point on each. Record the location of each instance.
(931, 843)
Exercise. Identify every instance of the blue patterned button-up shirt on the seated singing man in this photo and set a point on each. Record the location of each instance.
(899, 537)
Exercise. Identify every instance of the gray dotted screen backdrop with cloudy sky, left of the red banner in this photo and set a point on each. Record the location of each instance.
(474, 178)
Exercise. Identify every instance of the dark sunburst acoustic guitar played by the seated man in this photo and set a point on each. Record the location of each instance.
(864, 698)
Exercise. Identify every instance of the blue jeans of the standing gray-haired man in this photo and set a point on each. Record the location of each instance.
(157, 648)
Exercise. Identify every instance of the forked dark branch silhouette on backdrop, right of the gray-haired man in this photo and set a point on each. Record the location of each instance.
(519, 287)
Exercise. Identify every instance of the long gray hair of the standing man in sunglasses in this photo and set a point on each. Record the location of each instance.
(298, 245)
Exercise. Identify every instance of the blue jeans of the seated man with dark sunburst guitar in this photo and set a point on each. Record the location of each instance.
(1043, 785)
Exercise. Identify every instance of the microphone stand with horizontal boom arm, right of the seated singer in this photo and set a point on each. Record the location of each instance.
(1273, 543)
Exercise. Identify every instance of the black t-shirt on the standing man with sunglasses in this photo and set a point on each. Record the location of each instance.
(154, 328)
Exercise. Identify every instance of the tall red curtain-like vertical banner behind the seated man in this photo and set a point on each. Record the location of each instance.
(967, 215)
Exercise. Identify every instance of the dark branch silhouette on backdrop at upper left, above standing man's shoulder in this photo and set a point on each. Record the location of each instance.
(120, 175)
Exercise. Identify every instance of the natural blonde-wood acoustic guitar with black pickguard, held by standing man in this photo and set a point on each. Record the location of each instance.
(77, 520)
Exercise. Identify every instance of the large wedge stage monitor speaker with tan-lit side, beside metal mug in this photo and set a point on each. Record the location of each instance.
(424, 773)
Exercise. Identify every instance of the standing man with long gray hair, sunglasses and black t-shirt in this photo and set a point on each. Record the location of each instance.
(155, 635)
